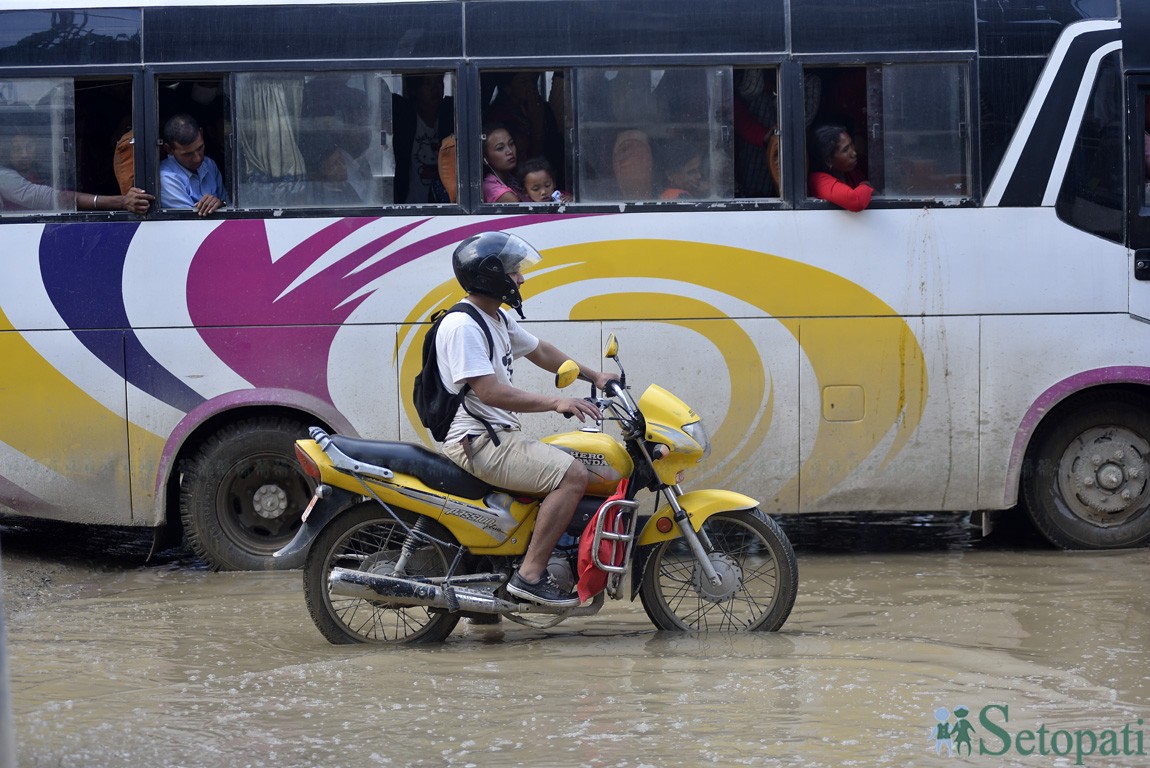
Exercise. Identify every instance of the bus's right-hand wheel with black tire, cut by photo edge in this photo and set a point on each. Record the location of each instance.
(1085, 480)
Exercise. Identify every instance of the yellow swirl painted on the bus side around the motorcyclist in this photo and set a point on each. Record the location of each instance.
(819, 309)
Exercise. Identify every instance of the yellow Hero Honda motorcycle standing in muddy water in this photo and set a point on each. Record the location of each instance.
(403, 543)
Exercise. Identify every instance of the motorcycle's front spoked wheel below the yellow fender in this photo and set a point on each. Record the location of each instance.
(756, 564)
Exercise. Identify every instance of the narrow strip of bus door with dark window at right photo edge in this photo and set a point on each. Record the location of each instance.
(1139, 174)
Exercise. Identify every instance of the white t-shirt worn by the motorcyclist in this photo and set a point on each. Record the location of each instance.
(463, 352)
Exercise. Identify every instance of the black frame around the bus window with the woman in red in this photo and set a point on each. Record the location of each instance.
(967, 60)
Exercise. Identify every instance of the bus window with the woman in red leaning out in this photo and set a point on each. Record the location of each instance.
(909, 124)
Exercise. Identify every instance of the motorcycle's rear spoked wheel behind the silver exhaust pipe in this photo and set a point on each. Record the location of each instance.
(367, 539)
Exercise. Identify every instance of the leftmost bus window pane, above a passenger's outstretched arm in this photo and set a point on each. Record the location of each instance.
(37, 139)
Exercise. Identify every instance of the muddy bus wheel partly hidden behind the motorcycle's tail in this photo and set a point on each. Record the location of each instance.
(243, 495)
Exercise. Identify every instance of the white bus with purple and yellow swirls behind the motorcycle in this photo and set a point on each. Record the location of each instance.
(975, 340)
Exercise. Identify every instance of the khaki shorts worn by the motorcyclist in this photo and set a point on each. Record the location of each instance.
(518, 464)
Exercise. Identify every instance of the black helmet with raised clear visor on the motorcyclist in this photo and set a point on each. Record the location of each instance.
(484, 265)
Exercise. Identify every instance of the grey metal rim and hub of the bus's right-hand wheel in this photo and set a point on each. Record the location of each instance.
(1105, 475)
